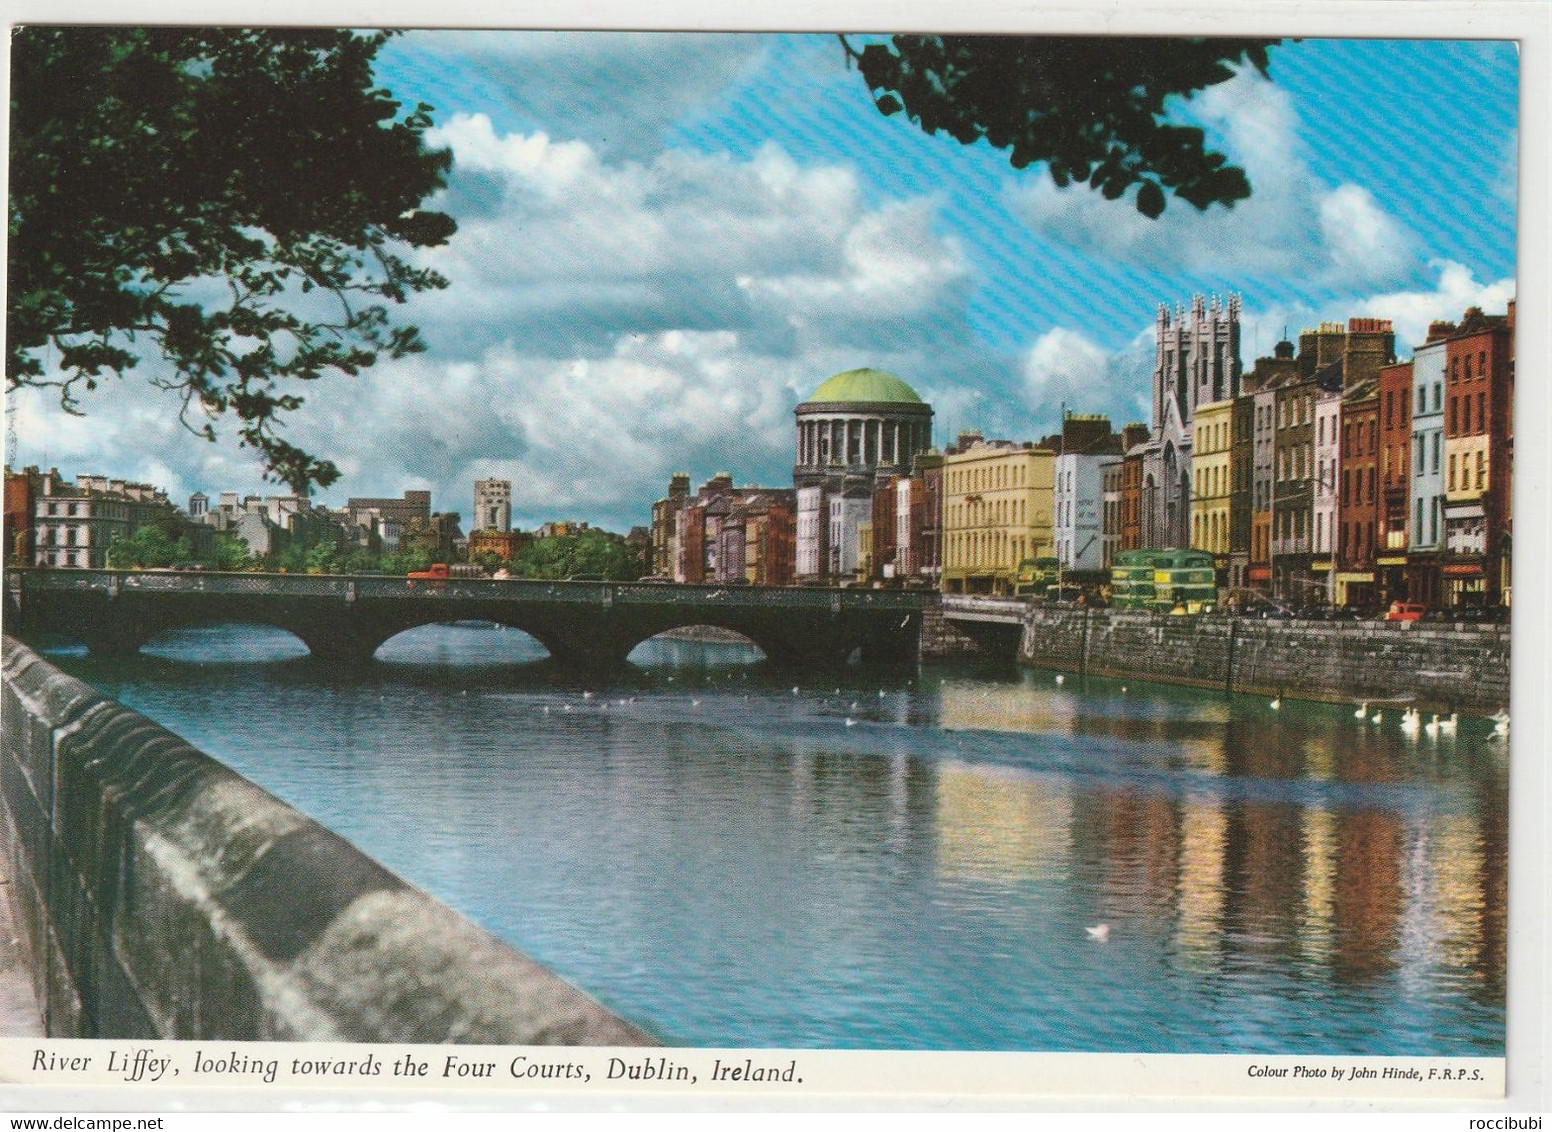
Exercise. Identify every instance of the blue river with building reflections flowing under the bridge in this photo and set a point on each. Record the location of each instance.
(736, 856)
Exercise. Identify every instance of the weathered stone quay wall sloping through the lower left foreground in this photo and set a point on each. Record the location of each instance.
(165, 897)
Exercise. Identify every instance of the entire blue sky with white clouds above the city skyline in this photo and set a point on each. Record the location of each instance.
(667, 241)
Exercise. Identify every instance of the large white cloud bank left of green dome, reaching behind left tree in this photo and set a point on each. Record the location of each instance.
(609, 322)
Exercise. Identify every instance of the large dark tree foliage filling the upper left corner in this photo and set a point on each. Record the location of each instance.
(234, 200)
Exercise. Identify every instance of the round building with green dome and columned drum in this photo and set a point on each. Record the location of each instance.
(857, 432)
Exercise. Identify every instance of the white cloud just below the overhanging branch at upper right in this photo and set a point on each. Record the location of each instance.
(1292, 226)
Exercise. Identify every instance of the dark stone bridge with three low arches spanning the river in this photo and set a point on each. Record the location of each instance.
(347, 619)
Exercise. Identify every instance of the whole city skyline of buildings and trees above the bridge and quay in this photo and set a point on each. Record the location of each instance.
(1331, 479)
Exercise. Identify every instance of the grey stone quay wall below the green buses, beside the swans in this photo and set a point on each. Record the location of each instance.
(1436, 667)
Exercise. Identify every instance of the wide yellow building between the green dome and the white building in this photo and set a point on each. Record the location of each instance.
(999, 504)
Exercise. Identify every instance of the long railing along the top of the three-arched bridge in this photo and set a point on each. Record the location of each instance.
(355, 588)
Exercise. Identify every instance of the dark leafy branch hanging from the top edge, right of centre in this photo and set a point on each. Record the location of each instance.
(1092, 108)
